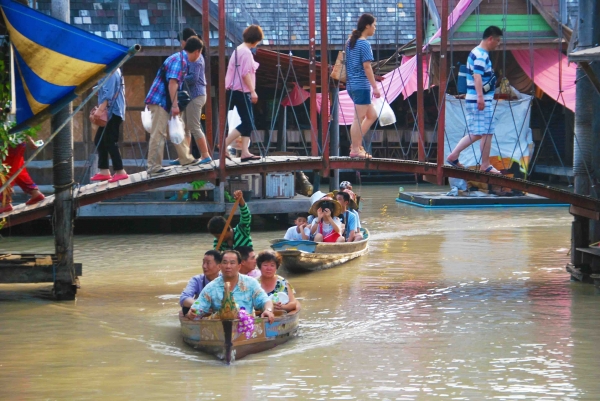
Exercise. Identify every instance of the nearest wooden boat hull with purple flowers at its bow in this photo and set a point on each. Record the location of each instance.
(220, 337)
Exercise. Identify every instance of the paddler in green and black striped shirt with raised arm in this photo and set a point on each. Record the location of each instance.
(237, 236)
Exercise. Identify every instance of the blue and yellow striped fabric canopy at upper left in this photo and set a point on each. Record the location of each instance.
(54, 61)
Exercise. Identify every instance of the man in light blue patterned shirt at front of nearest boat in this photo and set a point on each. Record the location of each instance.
(247, 292)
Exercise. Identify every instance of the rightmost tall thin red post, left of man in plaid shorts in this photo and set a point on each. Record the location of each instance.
(442, 95)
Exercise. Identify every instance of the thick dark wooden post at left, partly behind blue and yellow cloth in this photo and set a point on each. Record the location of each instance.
(65, 279)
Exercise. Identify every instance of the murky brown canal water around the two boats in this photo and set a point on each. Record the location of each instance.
(449, 304)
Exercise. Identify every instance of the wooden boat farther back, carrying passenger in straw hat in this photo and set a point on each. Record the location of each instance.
(307, 256)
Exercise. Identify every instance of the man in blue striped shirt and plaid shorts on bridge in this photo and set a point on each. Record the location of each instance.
(479, 99)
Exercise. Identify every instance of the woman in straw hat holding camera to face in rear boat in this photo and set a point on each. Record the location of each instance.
(326, 227)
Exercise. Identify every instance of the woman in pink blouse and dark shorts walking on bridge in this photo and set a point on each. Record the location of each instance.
(240, 82)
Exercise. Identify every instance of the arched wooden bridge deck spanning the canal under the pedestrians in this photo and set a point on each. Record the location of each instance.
(140, 182)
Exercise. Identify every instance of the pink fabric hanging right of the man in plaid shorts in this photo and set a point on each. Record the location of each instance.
(551, 73)
